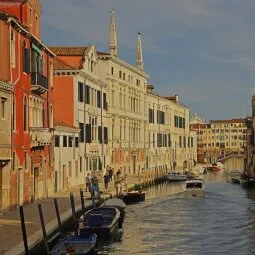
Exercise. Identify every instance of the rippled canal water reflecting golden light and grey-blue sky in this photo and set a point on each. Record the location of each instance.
(222, 222)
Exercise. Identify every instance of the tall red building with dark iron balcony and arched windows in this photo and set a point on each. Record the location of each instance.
(27, 64)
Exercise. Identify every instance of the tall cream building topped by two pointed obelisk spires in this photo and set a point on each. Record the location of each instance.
(126, 106)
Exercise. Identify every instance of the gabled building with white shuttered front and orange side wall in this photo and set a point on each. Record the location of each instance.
(81, 101)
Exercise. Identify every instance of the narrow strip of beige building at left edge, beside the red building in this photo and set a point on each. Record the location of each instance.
(5, 143)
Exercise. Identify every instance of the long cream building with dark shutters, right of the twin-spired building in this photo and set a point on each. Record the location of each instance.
(169, 137)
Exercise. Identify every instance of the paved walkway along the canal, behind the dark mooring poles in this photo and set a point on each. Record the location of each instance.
(11, 242)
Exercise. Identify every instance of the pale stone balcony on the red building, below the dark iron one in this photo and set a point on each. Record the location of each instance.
(40, 136)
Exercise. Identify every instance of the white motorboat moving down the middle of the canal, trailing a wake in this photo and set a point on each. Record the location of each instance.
(194, 188)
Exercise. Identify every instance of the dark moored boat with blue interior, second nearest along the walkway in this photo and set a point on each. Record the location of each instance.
(104, 221)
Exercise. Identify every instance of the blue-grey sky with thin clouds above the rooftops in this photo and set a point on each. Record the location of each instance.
(201, 50)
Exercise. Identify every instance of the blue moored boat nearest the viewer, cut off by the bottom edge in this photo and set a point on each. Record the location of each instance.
(73, 244)
